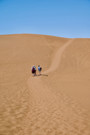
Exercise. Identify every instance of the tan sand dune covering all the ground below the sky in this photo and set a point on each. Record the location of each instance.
(55, 103)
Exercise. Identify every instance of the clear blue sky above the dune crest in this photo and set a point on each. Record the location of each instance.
(64, 18)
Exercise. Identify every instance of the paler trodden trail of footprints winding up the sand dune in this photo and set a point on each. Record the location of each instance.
(50, 114)
